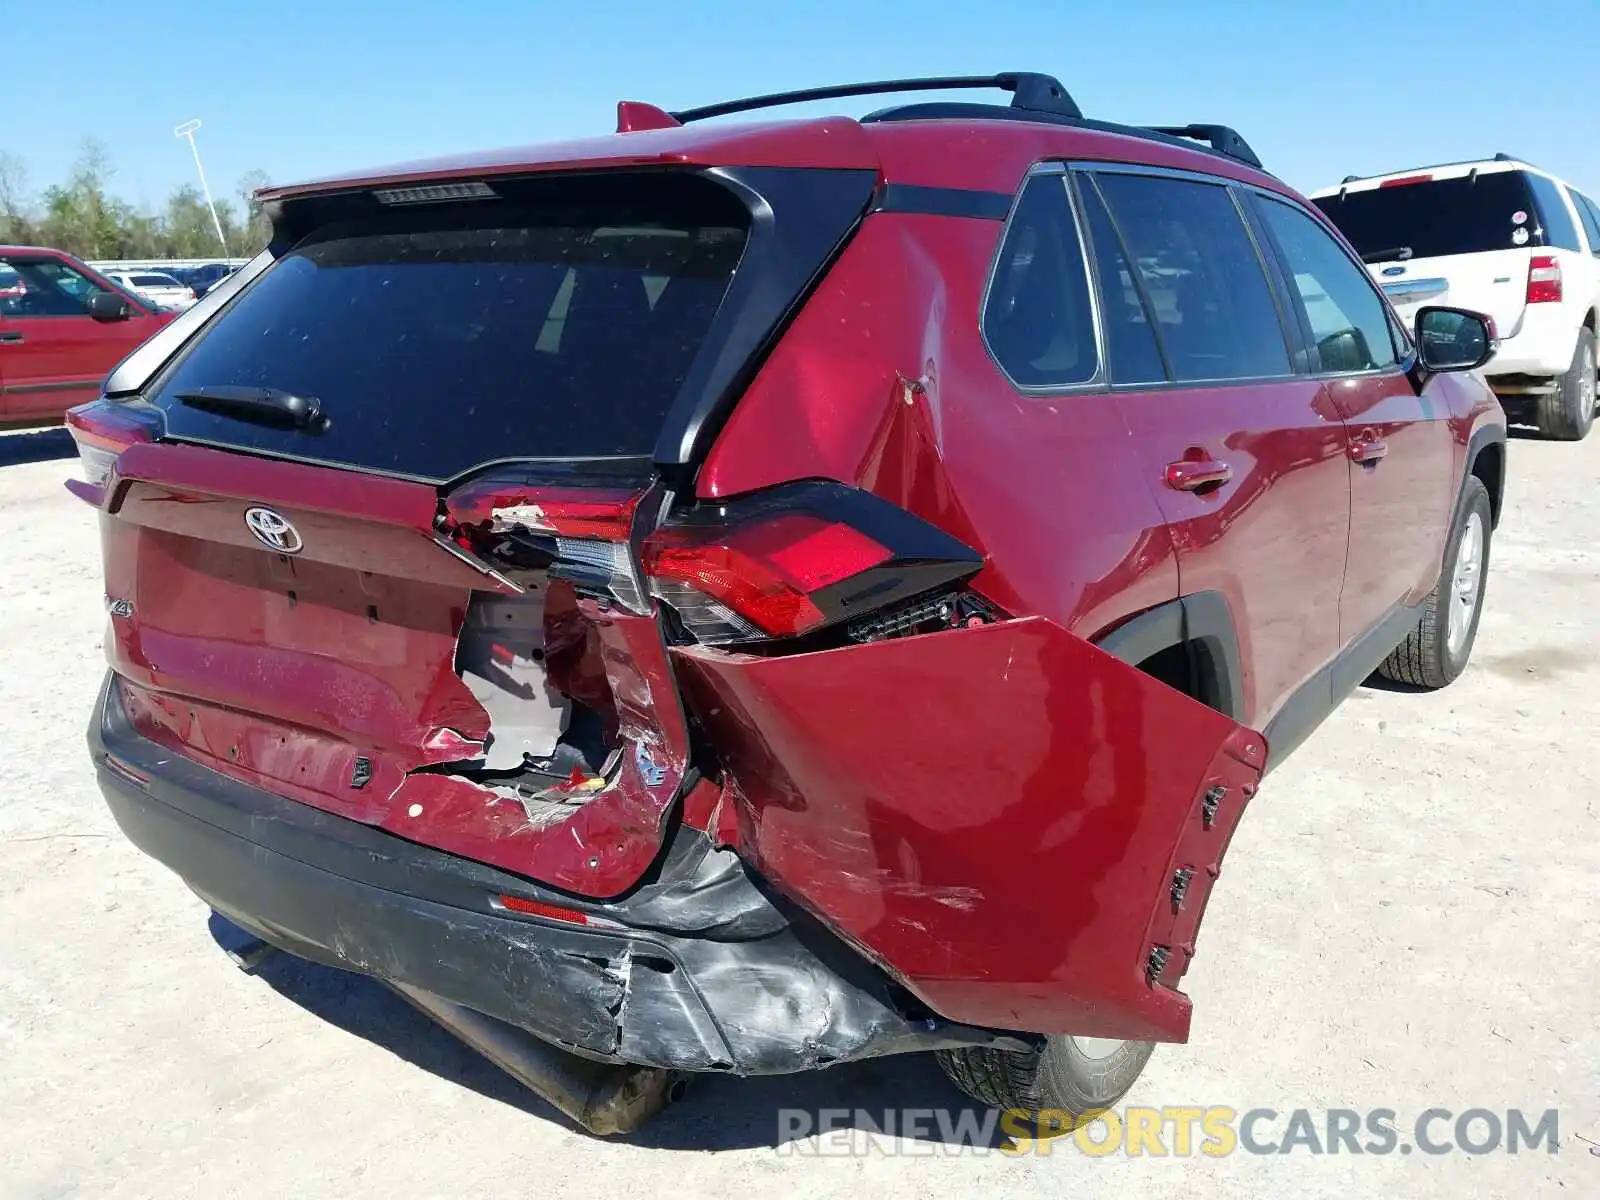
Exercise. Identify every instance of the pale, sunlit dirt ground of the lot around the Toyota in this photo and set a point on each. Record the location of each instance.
(1410, 919)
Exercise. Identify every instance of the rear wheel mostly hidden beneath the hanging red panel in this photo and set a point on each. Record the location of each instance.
(1060, 1081)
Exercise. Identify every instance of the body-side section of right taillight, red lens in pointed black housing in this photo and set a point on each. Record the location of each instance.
(794, 561)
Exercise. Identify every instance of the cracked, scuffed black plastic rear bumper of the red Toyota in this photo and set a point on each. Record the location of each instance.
(706, 975)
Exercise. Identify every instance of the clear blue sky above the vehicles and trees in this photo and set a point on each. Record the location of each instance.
(1321, 90)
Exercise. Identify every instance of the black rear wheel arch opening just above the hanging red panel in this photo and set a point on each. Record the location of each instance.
(1198, 626)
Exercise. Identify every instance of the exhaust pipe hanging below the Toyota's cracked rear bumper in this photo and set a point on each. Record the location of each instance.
(602, 1097)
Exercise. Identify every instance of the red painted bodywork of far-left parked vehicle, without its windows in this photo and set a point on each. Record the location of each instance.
(60, 361)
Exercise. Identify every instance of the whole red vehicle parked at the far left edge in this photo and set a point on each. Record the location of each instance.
(63, 327)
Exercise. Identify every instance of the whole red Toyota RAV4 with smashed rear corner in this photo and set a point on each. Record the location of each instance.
(748, 598)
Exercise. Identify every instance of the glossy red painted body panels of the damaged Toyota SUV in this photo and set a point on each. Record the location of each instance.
(993, 814)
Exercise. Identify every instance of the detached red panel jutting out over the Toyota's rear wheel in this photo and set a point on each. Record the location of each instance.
(994, 814)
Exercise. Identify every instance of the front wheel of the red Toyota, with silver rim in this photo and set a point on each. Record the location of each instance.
(1438, 650)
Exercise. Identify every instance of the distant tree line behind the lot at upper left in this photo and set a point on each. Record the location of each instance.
(86, 218)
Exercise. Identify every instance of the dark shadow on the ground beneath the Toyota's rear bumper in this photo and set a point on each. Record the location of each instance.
(718, 1114)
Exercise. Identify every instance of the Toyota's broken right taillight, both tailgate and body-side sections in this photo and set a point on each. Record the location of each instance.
(775, 566)
